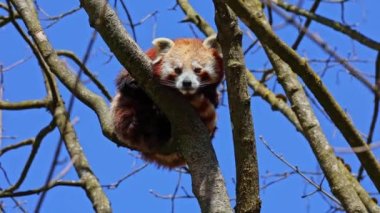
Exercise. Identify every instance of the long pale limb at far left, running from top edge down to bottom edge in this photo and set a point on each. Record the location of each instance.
(90, 183)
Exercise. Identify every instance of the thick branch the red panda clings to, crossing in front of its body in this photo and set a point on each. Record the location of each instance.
(188, 131)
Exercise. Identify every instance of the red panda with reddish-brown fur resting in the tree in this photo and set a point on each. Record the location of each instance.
(192, 67)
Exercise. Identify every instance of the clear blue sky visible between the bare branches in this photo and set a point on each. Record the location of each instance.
(110, 163)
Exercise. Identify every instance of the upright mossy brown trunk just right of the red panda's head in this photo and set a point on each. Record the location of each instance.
(247, 174)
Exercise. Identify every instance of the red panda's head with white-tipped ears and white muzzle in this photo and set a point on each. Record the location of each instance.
(186, 64)
